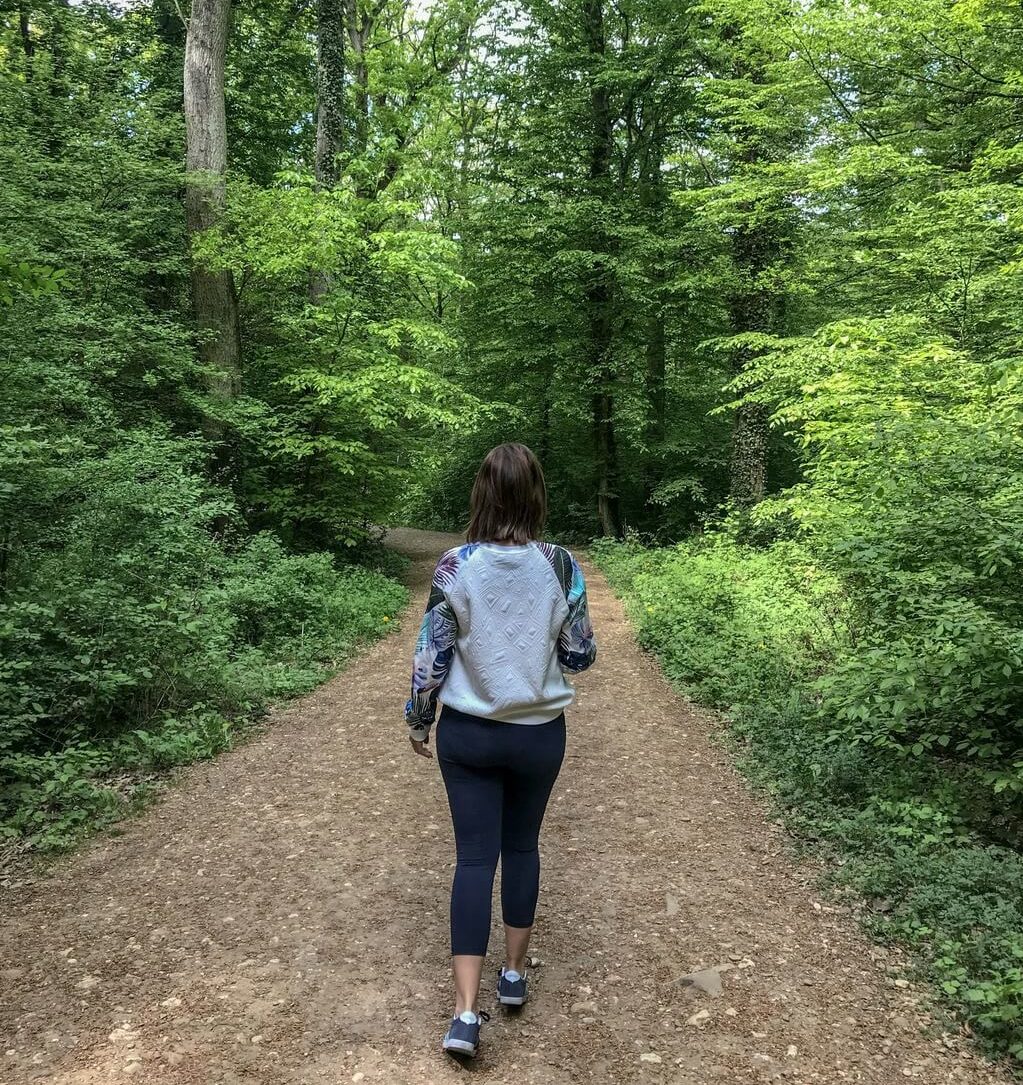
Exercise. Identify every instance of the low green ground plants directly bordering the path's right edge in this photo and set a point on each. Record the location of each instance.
(769, 636)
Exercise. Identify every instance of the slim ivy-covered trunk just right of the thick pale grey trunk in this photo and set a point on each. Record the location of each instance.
(330, 109)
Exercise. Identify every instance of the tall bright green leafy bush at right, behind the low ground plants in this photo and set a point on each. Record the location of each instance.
(914, 499)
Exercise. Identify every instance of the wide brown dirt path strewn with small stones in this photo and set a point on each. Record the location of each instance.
(282, 917)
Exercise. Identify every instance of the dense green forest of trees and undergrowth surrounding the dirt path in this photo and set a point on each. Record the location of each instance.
(747, 277)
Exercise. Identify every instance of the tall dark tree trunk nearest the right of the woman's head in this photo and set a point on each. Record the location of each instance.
(600, 292)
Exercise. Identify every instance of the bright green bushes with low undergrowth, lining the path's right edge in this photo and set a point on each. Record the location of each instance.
(871, 650)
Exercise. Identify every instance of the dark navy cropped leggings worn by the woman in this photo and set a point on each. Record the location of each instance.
(498, 778)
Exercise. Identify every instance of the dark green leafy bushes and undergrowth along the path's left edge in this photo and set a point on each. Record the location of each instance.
(136, 640)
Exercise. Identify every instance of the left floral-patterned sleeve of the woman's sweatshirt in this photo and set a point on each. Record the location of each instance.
(436, 647)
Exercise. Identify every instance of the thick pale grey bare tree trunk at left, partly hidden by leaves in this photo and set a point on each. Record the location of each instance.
(207, 138)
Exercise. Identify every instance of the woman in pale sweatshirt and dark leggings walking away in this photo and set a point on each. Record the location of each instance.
(506, 620)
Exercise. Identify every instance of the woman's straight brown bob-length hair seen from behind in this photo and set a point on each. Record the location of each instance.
(509, 497)
